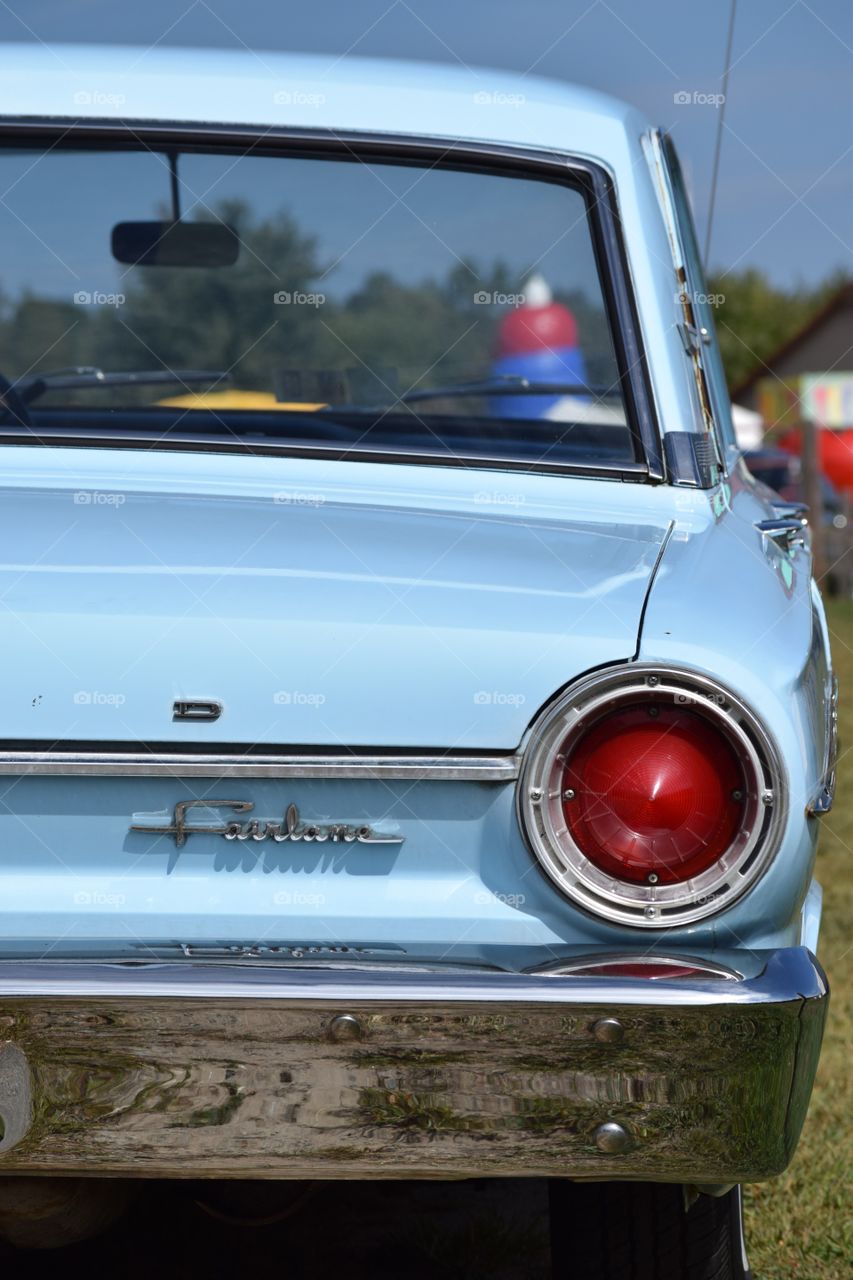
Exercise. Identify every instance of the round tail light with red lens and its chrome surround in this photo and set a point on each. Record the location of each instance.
(651, 798)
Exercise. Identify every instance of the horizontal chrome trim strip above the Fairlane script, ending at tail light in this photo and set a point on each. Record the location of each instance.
(435, 769)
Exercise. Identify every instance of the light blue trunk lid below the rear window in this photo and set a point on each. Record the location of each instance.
(281, 587)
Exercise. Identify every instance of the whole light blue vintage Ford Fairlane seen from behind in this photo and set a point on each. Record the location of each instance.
(416, 719)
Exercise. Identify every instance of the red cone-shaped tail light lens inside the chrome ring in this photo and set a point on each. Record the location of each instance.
(654, 794)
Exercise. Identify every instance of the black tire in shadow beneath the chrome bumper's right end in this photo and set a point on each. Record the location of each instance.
(645, 1232)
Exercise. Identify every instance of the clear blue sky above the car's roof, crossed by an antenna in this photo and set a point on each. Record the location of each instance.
(786, 196)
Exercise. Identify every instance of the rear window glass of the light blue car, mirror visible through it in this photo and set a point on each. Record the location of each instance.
(307, 299)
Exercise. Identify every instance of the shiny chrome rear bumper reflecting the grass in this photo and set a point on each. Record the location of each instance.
(203, 1071)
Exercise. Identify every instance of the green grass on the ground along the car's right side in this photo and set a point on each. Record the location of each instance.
(801, 1226)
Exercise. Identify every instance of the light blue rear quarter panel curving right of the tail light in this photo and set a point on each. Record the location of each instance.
(729, 604)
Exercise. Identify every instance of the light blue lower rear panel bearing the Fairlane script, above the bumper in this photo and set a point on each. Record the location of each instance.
(463, 888)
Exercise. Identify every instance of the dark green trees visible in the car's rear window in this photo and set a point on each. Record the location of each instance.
(387, 335)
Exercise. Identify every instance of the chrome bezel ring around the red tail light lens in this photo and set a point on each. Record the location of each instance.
(651, 907)
